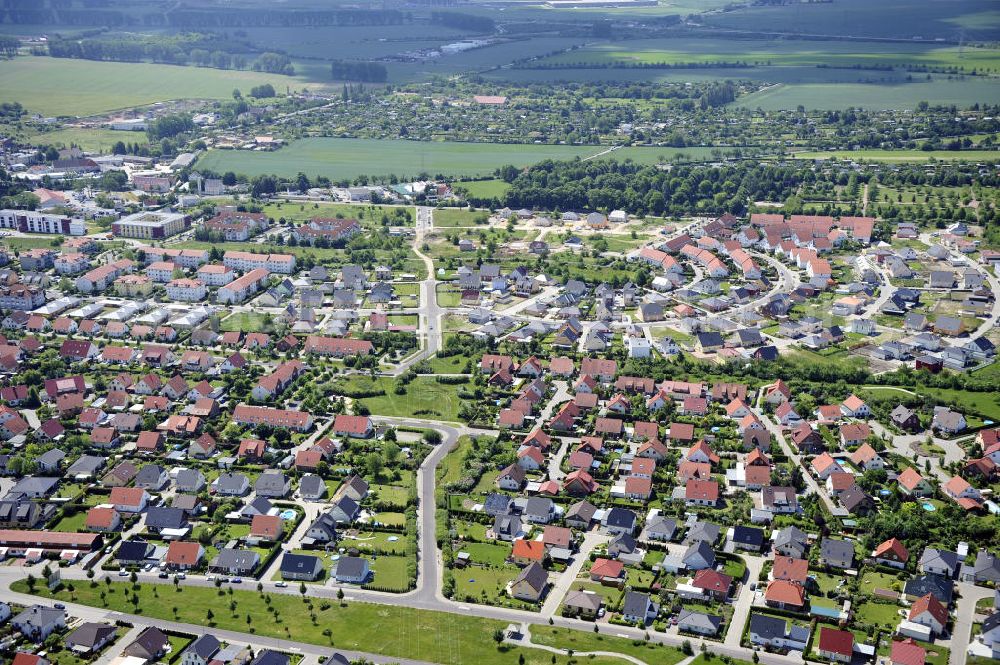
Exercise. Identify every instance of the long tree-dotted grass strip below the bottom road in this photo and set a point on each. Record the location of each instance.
(448, 639)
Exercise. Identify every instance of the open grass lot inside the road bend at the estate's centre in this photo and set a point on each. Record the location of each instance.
(423, 397)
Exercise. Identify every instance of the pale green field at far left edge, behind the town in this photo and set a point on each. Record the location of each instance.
(57, 87)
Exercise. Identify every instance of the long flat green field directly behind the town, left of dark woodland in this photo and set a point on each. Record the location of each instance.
(345, 159)
